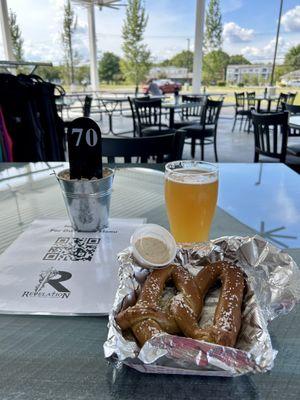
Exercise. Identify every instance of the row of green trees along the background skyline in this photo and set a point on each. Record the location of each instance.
(134, 66)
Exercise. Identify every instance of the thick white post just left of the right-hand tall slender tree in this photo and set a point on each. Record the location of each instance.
(198, 50)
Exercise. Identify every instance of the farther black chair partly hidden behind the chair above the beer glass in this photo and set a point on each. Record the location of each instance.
(190, 115)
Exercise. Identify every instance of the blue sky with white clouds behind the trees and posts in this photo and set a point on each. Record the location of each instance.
(249, 28)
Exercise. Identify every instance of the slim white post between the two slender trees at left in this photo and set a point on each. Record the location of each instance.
(93, 48)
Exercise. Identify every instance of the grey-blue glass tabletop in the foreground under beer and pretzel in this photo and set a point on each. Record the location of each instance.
(44, 357)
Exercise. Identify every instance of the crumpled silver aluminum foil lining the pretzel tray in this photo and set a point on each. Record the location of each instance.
(273, 282)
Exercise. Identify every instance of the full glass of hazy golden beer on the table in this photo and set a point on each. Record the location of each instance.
(191, 191)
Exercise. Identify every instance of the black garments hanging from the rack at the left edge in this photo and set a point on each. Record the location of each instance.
(28, 104)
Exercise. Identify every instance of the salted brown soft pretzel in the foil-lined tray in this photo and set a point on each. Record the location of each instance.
(147, 317)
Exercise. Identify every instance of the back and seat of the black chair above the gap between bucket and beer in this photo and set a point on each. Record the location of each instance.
(149, 117)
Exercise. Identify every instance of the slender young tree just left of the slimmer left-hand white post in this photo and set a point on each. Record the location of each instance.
(69, 28)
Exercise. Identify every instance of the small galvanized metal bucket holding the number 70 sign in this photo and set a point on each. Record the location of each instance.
(87, 201)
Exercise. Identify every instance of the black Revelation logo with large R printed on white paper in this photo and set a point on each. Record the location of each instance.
(51, 279)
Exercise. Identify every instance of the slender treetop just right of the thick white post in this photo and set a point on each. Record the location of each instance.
(213, 27)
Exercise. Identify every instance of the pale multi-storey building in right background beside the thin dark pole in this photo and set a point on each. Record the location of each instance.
(248, 74)
